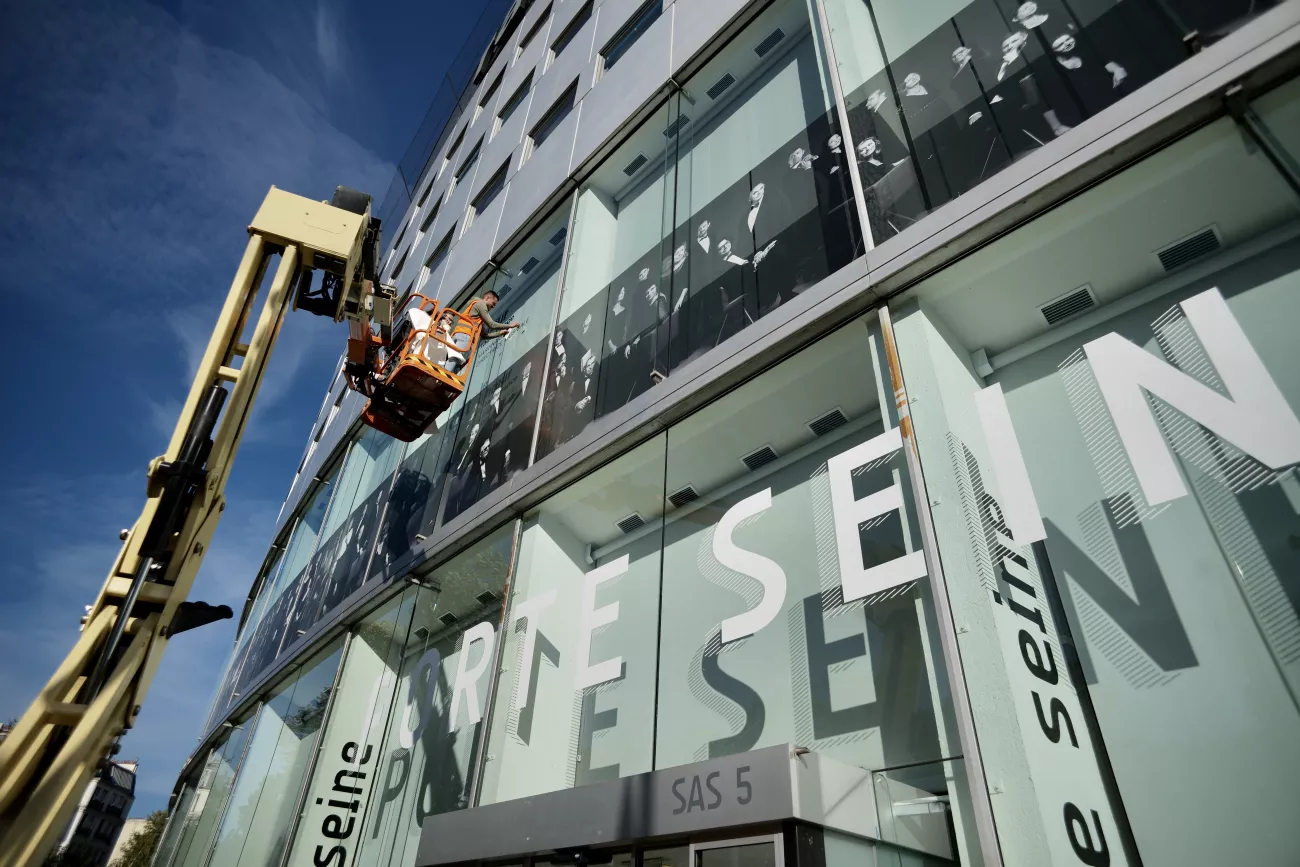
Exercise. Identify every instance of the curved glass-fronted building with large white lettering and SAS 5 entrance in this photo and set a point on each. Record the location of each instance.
(896, 463)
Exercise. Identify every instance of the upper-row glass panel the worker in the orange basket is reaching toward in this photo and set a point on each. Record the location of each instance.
(500, 414)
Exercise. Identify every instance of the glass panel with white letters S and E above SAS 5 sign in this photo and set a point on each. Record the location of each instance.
(796, 602)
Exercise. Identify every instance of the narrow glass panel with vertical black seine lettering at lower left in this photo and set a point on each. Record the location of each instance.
(348, 771)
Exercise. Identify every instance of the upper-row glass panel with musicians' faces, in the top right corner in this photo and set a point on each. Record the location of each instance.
(944, 96)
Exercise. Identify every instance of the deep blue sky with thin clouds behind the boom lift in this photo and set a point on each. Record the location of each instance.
(137, 141)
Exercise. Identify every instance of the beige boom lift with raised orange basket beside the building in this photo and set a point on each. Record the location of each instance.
(96, 695)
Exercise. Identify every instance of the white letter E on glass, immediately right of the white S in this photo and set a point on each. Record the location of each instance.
(850, 514)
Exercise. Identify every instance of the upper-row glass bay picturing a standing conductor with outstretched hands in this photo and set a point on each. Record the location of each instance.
(723, 207)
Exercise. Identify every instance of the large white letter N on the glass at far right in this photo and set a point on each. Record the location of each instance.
(1256, 419)
